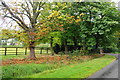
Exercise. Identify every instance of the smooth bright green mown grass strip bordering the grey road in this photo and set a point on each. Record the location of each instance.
(81, 70)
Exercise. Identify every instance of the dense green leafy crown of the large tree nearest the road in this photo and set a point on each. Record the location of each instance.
(97, 23)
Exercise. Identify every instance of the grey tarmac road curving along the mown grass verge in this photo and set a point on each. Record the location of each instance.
(110, 72)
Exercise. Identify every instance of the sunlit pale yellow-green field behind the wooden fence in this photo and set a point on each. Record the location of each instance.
(11, 50)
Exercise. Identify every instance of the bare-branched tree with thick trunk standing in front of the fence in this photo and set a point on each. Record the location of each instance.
(25, 14)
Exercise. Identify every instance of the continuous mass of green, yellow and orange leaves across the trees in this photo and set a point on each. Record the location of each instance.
(89, 24)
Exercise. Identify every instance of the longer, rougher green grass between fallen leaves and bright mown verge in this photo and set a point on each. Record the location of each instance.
(11, 71)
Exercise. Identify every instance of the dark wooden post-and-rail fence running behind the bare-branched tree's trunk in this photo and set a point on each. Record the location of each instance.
(25, 50)
